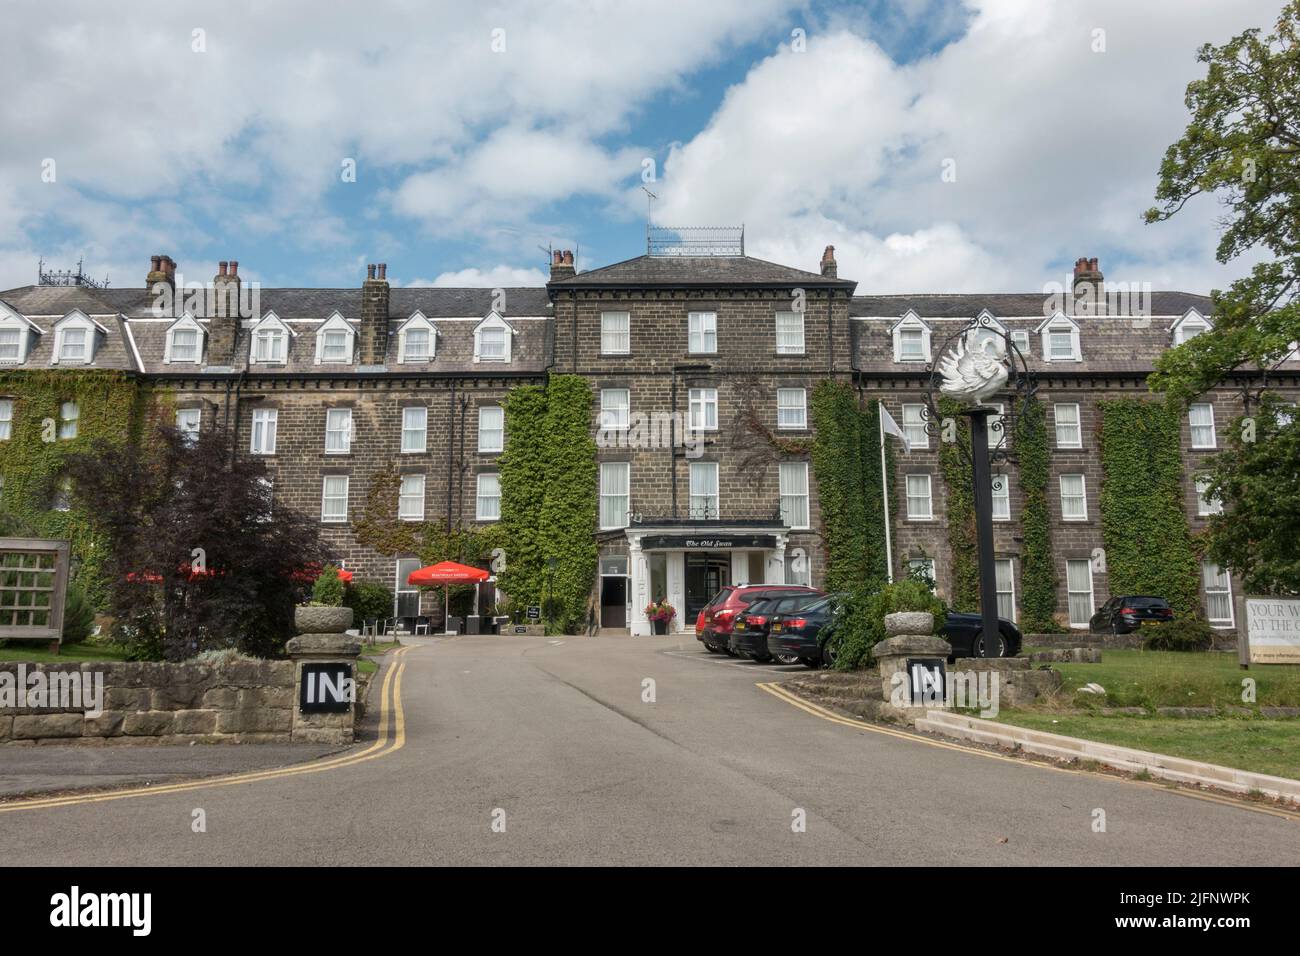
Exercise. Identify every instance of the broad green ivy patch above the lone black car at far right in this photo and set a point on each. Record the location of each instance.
(1143, 526)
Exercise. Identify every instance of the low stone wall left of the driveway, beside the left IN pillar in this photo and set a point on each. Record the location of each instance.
(242, 702)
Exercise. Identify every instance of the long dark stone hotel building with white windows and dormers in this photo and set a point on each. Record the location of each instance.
(331, 386)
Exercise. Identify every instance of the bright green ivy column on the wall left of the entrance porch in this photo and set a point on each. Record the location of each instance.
(549, 500)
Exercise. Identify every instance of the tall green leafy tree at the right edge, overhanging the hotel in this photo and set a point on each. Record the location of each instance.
(1243, 145)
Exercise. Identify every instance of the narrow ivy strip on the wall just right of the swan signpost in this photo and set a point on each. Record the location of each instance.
(1038, 569)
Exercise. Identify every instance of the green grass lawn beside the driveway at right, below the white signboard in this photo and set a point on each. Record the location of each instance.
(1164, 680)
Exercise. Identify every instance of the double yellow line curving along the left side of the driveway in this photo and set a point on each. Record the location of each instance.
(392, 739)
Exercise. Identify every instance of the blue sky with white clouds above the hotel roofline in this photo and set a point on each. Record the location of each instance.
(480, 133)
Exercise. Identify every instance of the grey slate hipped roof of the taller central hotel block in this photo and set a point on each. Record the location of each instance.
(696, 271)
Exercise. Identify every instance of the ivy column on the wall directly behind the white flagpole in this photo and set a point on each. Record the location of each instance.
(847, 466)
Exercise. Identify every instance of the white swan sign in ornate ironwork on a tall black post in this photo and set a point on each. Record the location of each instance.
(977, 364)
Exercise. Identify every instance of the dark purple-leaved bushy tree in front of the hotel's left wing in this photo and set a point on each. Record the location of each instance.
(198, 560)
